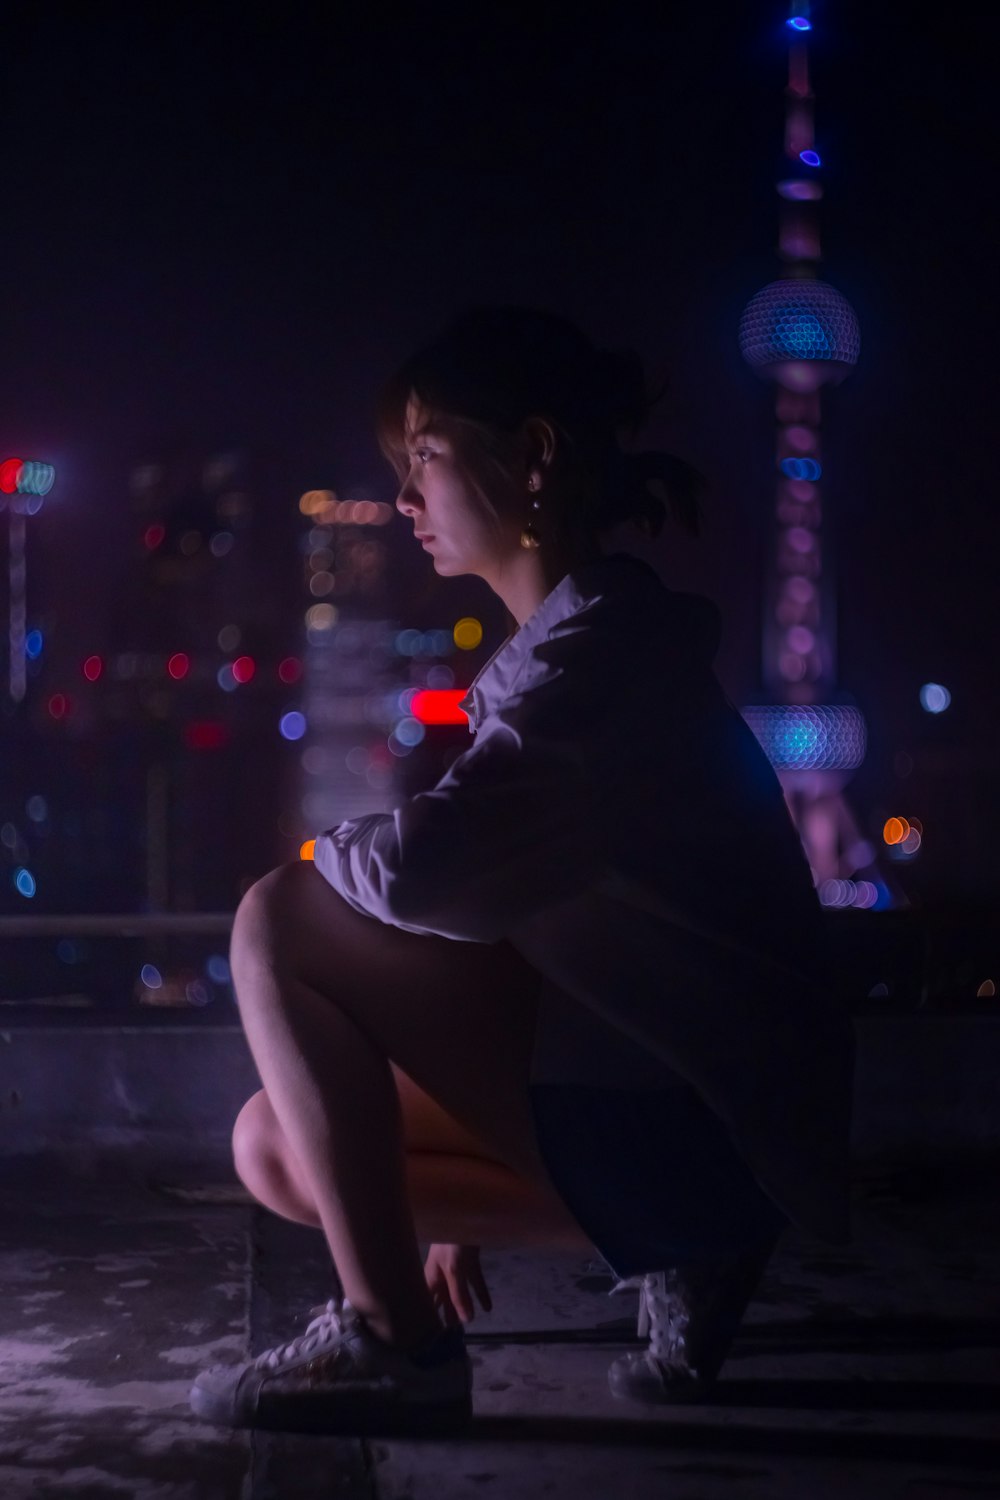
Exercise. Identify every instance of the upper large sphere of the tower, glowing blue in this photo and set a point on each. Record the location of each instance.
(800, 334)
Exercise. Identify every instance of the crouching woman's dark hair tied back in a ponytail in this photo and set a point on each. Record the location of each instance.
(494, 368)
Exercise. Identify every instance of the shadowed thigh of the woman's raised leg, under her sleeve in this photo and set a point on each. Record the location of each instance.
(457, 1018)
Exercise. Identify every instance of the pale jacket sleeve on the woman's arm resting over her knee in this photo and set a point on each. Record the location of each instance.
(510, 829)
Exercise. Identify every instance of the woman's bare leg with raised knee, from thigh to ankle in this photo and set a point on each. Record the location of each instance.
(328, 997)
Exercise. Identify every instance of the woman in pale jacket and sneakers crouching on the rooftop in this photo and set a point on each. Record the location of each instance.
(570, 997)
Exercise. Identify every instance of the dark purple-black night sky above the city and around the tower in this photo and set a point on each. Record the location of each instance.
(224, 226)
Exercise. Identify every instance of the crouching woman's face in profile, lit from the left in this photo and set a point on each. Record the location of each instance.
(446, 509)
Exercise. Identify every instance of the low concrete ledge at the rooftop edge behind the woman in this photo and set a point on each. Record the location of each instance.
(926, 1085)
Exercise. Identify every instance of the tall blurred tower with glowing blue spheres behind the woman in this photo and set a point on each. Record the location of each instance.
(801, 334)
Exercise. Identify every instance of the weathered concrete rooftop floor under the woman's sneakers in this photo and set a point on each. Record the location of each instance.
(870, 1372)
